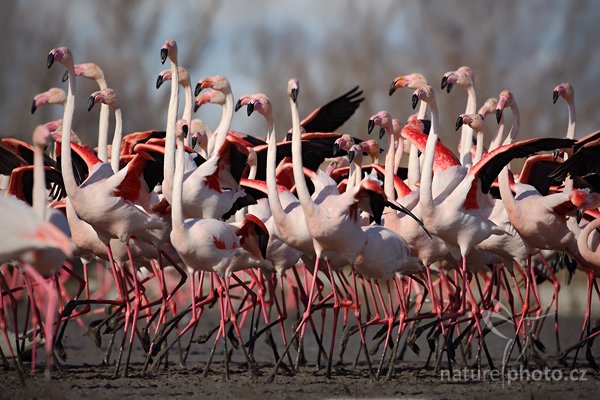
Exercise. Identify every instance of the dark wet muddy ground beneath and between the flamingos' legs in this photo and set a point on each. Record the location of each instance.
(84, 376)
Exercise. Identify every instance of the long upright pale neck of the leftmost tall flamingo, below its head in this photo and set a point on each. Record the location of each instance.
(65, 146)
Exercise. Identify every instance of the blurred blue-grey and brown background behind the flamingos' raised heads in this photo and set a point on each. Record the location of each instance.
(525, 46)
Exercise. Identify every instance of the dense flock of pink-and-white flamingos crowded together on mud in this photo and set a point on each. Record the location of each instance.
(151, 232)
